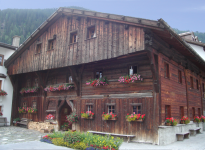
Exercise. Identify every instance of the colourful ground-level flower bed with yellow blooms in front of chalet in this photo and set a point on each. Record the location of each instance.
(83, 141)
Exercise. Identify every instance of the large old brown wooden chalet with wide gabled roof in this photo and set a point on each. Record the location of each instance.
(73, 46)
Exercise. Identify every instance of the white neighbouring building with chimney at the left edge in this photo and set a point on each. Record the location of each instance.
(5, 84)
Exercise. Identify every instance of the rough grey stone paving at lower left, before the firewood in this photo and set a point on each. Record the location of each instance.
(12, 134)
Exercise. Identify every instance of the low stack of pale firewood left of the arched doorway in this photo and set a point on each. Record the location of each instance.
(43, 127)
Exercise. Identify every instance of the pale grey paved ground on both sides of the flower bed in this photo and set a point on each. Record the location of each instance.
(12, 138)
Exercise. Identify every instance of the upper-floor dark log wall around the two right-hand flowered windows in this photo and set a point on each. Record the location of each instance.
(113, 70)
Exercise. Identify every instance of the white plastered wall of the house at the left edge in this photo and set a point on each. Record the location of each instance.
(6, 101)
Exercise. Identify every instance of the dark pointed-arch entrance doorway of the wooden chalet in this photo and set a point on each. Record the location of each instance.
(64, 111)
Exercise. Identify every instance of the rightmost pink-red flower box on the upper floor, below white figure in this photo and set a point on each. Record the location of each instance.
(130, 78)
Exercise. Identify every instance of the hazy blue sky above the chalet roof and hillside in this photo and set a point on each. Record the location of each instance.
(180, 14)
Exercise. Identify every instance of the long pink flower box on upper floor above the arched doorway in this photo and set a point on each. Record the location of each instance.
(61, 87)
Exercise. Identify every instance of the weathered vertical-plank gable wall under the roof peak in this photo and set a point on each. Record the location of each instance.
(112, 40)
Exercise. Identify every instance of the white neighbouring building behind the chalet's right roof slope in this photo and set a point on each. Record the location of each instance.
(194, 42)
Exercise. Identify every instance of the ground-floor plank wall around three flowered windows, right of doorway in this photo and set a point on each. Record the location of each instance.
(144, 131)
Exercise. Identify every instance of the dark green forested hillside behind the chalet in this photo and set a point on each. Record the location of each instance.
(24, 22)
